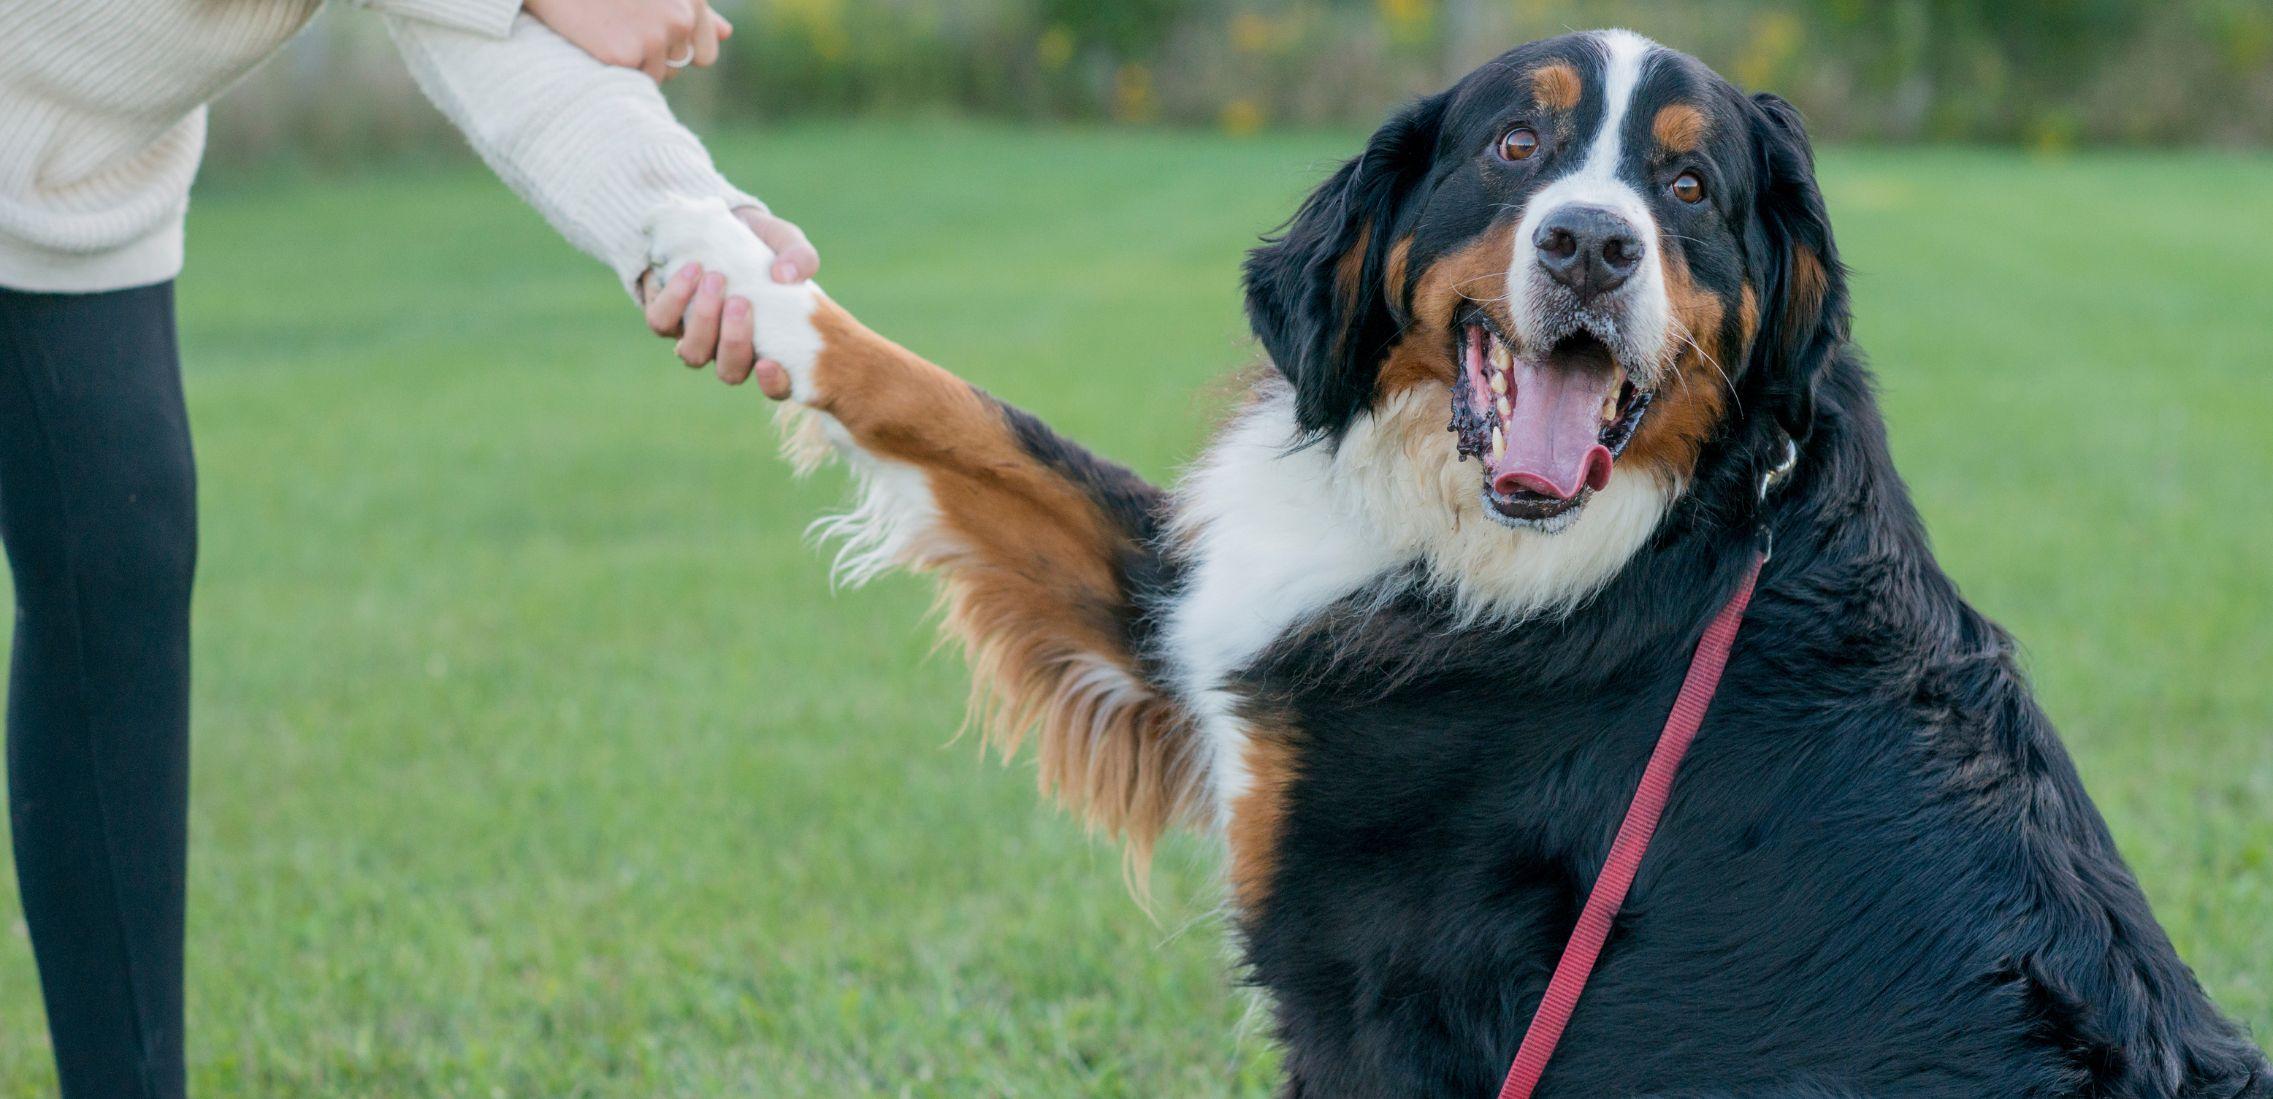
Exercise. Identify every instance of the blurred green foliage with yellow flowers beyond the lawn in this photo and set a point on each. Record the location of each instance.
(2040, 74)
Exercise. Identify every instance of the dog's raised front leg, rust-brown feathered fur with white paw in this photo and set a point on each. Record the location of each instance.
(1044, 551)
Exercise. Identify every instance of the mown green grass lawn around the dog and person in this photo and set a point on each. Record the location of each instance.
(535, 757)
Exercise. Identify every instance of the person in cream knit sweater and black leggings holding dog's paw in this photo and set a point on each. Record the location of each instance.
(101, 133)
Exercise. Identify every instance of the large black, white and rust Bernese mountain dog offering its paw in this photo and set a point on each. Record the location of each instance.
(1406, 635)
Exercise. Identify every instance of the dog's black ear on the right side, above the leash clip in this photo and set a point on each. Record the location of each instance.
(1801, 285)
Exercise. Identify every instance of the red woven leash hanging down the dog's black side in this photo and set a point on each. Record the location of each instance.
(1633, 841)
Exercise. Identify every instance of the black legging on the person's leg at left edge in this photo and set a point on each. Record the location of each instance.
(101, 526)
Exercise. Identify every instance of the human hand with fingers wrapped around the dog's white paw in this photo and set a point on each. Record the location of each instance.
(710, 328)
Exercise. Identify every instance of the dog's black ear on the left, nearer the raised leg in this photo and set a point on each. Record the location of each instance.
(1315, 292)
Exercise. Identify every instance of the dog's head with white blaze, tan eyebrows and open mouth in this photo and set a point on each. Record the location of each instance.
(1608, 253)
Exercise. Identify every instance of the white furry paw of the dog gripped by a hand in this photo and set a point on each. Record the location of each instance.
(708, 233)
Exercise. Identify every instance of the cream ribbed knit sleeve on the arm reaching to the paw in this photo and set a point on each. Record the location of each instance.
(592, 146)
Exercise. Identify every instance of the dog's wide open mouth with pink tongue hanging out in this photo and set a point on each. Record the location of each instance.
(1547, 428)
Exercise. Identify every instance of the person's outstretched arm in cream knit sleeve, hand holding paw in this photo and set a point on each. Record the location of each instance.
(592, 146)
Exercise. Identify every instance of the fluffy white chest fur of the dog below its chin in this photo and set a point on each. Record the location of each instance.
(1276, 532)
